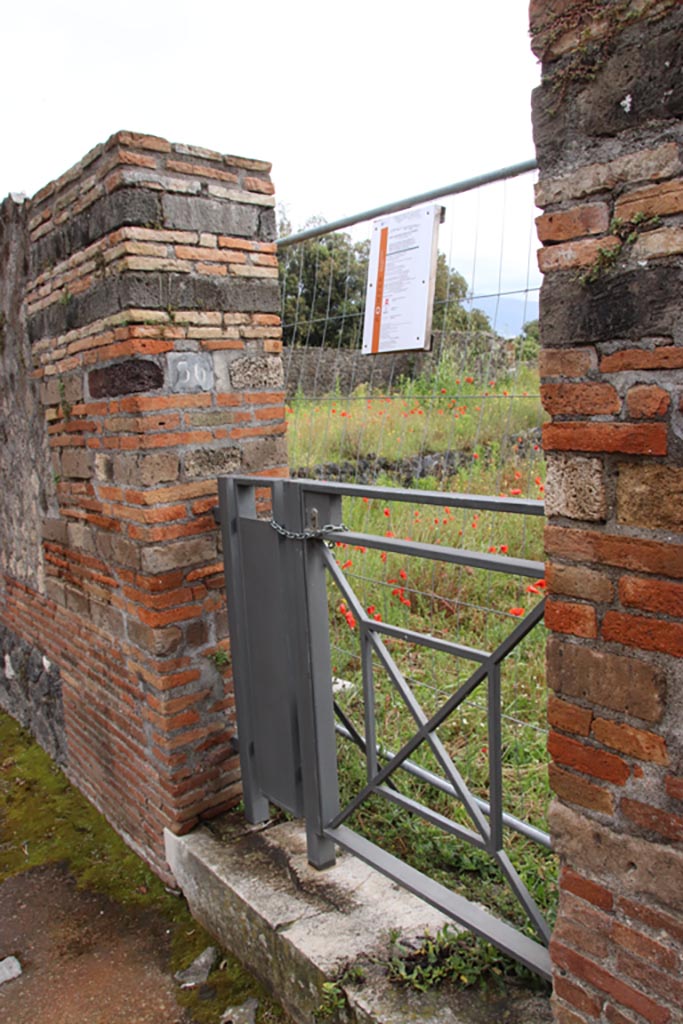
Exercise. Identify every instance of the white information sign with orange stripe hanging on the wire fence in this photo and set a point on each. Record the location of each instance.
(401, 281)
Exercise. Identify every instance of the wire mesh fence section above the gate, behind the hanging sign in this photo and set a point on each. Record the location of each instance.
(466, 415)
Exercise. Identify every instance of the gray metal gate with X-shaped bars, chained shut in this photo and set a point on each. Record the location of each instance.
(278, 606)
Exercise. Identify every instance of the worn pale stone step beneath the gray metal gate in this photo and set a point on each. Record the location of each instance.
(296, 928)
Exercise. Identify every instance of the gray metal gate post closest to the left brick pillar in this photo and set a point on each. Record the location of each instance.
(235, 501)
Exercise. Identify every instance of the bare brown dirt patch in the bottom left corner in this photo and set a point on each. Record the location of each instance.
(86, 959)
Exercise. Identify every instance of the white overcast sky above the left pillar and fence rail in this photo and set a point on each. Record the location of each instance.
(356, 104)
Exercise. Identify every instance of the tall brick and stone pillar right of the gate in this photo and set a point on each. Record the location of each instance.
(610, 143)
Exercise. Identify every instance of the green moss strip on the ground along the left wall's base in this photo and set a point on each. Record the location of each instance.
(46, 821)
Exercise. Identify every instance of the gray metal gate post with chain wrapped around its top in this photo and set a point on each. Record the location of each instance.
(310, 654)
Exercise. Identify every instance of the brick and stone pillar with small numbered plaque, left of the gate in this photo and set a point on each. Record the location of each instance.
(151, 305)
